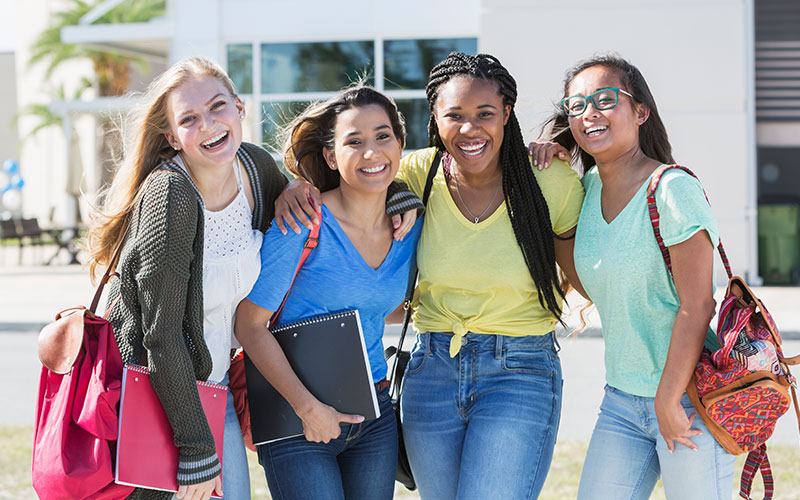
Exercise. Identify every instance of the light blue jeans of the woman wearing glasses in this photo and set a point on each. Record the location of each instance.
(627, 455)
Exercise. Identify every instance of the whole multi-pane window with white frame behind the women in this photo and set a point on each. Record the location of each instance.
(293, 74)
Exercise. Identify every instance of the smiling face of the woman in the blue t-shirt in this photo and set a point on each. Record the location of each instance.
(366, 151)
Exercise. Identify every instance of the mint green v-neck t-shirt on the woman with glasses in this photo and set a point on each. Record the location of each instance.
(622, 270)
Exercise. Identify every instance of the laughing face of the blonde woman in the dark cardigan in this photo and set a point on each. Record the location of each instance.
(205, 122)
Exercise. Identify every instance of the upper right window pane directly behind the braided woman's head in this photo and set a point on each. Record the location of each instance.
(407, 63)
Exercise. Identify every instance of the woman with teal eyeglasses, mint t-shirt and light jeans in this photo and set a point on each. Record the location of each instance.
(654, 327)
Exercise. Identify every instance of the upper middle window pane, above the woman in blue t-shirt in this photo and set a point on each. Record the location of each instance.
(313, 67)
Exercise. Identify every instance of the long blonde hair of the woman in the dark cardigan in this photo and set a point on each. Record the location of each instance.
(145, 149)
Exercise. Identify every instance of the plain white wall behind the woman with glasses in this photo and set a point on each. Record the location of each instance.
(697, 58)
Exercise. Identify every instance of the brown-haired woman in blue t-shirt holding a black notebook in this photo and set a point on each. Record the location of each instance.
(349, 147)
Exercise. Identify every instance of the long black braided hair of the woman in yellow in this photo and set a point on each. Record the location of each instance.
(527, 209)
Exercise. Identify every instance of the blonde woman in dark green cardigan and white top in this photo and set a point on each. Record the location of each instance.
(197, 200)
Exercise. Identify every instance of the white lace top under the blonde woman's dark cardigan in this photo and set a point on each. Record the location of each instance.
(231, 264)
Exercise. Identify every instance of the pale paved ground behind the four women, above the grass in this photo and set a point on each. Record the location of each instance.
(30, 296)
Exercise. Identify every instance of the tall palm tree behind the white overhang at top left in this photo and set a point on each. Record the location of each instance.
(112, 71)
